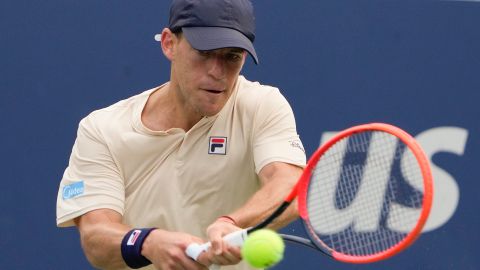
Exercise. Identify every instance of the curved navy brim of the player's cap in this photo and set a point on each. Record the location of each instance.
(212, 38)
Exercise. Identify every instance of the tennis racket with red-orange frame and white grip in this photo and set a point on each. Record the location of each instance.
(363, 197)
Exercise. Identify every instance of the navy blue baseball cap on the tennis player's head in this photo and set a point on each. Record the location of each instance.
(215, 24)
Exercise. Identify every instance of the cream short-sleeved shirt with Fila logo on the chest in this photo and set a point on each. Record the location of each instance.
(177, 180)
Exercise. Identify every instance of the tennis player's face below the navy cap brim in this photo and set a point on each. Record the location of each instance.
(204, 80)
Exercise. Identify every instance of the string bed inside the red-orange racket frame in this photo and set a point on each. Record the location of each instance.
(369, 174)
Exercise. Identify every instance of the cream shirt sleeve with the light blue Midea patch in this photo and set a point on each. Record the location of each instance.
(92, 180)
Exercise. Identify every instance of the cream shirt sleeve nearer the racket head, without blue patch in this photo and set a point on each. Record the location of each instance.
(275, 135)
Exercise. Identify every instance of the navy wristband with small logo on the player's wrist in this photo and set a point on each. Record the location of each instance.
(132, 248)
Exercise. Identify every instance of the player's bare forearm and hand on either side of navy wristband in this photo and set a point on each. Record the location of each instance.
(101, 233)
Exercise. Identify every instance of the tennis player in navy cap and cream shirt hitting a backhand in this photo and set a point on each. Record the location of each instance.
(205, 154)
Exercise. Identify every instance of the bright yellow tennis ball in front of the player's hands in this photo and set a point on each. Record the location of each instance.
(263, 248)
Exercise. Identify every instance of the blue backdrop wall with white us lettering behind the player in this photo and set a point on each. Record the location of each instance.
(414, 64)
